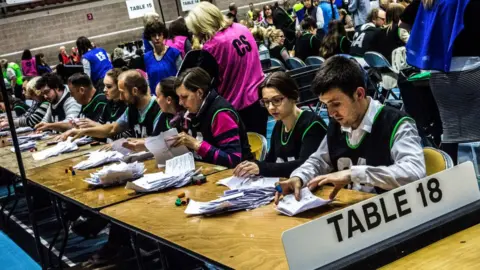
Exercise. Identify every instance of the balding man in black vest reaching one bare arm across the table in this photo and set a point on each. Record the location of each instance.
(139, 116)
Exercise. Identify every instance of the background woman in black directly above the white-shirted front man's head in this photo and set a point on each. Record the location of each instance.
(336, 41)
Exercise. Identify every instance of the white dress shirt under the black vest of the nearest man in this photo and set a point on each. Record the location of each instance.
(406, 153)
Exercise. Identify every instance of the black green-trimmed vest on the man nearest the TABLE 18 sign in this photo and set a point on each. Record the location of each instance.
(373, 149)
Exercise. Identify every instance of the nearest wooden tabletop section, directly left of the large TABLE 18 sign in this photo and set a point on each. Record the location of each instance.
(240, 240)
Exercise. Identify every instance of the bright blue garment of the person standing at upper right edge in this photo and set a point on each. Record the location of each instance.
(430, 45)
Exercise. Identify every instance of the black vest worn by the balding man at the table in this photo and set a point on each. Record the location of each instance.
(143, 126)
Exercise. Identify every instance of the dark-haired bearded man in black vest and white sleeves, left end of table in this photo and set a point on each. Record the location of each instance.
(63, 108)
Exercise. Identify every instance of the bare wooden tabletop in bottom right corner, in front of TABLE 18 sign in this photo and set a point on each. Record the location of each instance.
(458, 251)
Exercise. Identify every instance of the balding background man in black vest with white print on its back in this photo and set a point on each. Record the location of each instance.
(363, 38)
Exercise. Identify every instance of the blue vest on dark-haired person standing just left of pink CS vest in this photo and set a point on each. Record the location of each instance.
(159, 70)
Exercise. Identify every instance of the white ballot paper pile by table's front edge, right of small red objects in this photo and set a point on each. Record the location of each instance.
(116, 174)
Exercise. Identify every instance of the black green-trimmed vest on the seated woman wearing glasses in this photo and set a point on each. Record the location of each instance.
(287, 146)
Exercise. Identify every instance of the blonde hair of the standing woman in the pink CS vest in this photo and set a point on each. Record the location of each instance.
(205, 20)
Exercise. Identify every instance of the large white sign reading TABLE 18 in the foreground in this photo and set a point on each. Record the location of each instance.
(341, 233)
